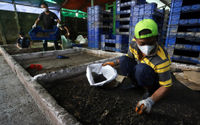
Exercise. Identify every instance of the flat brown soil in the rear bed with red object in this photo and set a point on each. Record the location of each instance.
(53, 63)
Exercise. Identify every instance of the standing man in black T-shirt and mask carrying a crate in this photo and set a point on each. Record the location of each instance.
(48, 19)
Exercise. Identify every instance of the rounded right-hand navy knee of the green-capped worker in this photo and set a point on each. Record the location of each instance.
(145, 75)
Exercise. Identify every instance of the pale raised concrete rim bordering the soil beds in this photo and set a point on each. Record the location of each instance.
(56, 114)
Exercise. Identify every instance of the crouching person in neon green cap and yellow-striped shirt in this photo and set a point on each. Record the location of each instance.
(147, 64)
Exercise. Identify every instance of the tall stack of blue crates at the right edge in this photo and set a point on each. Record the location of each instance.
(183, 32)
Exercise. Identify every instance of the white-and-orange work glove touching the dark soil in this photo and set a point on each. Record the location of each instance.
(144, 105)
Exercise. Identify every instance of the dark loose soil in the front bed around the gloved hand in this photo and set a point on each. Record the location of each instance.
(100, 106)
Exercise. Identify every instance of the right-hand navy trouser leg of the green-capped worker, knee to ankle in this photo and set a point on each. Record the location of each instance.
(146, 77)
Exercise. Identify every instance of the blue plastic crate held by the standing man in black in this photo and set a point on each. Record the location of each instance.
(53, 34)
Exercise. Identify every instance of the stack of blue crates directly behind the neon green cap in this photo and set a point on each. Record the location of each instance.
(145, 11)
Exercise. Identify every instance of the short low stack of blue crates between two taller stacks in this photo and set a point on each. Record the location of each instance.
(118, 43)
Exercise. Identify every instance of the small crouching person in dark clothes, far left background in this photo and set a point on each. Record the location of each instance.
(22, 41)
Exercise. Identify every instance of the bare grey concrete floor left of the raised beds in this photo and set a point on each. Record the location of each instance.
(16, 105)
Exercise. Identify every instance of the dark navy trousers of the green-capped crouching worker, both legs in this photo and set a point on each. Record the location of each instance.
(141, 74)
